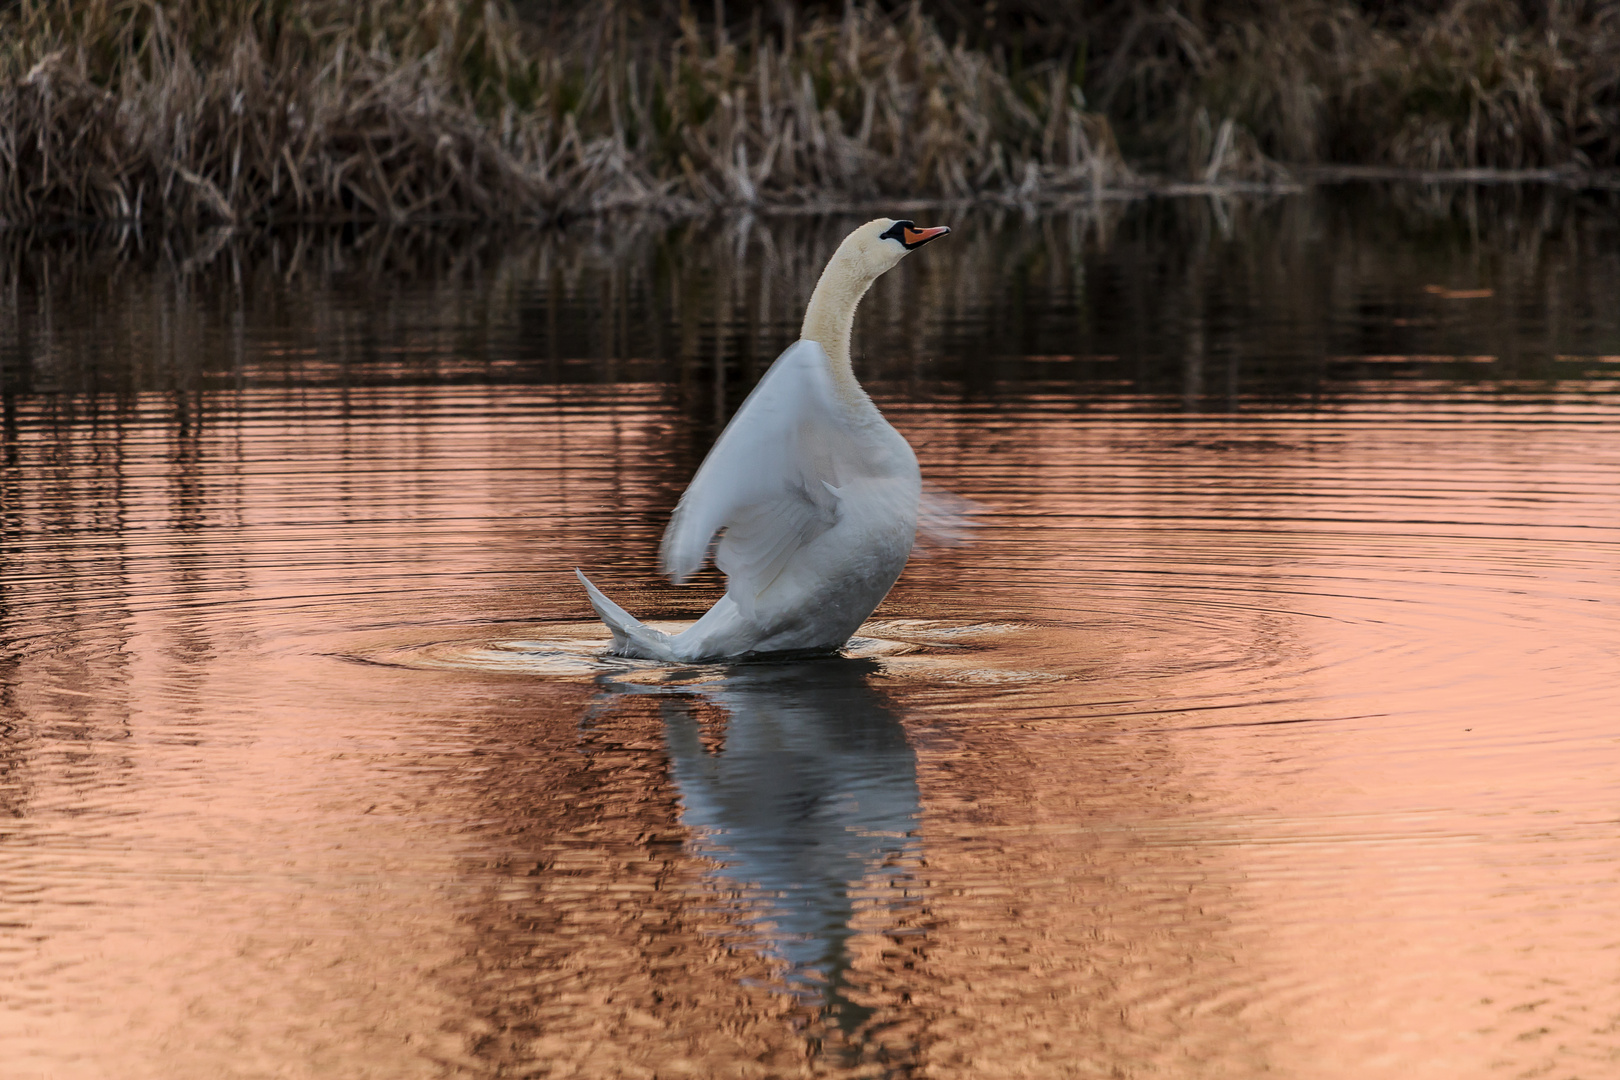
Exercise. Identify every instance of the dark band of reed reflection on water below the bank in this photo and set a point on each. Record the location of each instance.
(1172, 305)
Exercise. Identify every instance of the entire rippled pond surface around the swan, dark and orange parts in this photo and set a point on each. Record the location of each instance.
(1266, 728)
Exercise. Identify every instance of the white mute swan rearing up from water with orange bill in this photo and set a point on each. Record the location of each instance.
(816, 491)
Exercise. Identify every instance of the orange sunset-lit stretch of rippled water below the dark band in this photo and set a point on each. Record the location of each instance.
(1271, 744)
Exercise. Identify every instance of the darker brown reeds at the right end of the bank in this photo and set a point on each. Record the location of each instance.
(1459, 85)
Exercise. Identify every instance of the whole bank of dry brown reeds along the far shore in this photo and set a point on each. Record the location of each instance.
(262, 111)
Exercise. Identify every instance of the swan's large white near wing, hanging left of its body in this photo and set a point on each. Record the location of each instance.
(770, 482)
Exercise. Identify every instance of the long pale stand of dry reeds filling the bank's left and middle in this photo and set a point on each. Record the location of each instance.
(245, 111)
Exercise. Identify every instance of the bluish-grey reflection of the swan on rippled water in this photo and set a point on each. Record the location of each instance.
(799, 784)
